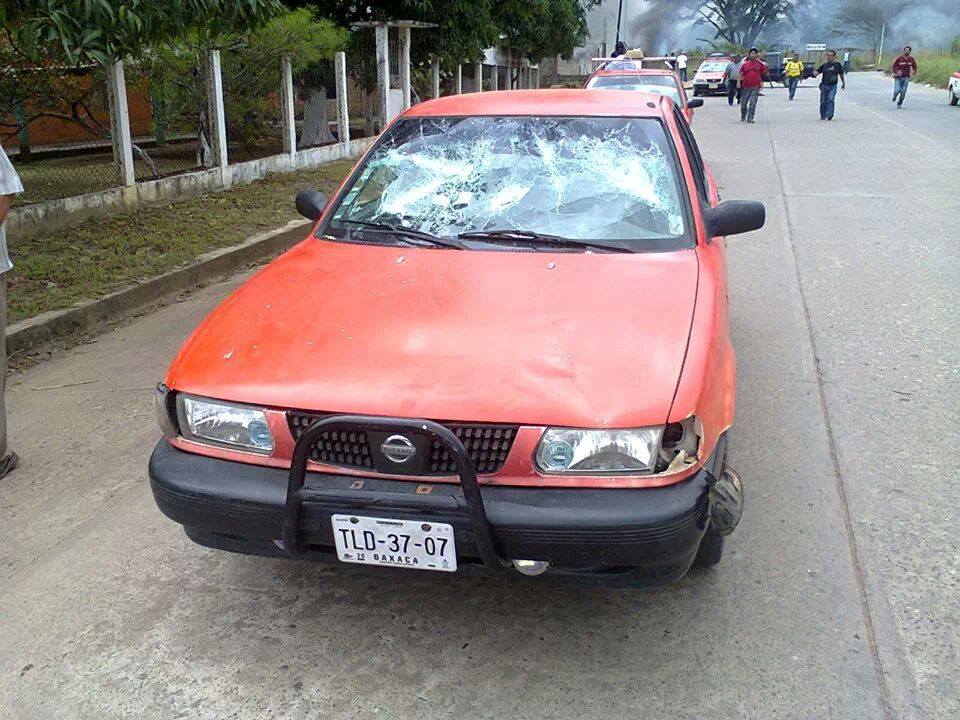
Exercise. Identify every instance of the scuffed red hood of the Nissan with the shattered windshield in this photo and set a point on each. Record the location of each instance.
(575, 339)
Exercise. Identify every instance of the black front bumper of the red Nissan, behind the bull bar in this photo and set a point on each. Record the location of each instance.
(632, 536)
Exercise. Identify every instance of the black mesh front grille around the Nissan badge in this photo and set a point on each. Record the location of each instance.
(487, 446)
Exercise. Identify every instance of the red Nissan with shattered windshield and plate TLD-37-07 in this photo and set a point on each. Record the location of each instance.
(503, 347)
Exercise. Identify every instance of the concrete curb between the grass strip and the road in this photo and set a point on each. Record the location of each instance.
(40, 329)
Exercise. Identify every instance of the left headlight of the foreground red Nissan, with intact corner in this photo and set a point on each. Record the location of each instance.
(221, 423)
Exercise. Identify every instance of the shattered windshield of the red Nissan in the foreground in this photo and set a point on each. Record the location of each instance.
(582, 178)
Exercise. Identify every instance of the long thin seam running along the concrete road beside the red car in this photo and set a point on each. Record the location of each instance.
(865, 611)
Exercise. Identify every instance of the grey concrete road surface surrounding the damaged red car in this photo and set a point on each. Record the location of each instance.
(838, 596)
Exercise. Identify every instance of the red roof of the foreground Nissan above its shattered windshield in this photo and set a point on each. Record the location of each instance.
(543, 102)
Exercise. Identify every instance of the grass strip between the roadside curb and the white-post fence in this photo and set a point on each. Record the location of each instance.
(102, 256)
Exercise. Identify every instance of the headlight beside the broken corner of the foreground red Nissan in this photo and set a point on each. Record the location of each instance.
(564, 450)
